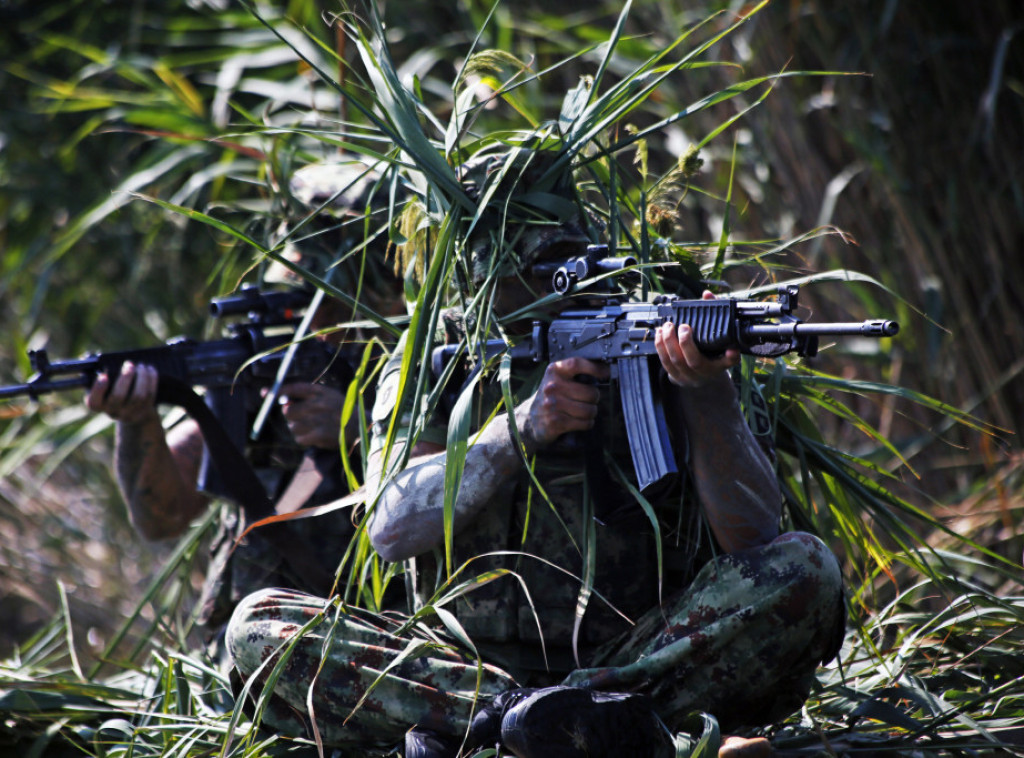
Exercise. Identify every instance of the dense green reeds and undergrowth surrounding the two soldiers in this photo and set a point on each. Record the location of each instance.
(146, 156)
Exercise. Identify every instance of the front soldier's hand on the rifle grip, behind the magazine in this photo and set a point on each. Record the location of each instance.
(562, 404)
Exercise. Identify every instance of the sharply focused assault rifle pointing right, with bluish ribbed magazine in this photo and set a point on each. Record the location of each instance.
(623, 334)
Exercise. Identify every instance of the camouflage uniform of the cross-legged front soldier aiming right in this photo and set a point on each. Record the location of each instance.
(738, 636)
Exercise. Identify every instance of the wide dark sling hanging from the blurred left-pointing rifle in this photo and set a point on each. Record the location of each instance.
(242, 483)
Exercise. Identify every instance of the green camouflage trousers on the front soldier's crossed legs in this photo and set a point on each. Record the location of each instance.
(742, 642)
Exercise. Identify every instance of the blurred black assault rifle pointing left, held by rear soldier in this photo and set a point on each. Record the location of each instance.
(233, 371)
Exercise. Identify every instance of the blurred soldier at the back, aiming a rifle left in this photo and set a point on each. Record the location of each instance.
(297, 458)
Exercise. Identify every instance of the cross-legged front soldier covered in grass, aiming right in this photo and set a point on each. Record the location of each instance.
(586, 643)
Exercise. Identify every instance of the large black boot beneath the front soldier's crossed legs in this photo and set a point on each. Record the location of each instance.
(573, 723)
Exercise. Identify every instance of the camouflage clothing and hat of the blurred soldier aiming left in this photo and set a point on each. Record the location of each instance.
(340, 192)
